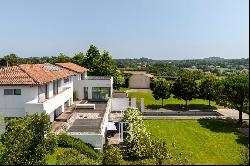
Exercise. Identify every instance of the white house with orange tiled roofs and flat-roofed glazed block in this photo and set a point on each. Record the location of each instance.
(36, 88)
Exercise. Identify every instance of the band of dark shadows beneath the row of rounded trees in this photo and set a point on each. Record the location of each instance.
(181, 107)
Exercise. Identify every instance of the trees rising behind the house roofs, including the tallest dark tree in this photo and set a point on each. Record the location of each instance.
(99, 64)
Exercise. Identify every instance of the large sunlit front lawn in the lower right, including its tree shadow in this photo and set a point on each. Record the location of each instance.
(201, 141)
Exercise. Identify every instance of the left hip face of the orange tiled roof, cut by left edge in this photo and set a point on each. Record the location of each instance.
(14, 76)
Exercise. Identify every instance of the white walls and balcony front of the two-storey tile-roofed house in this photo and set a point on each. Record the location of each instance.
(27, 102)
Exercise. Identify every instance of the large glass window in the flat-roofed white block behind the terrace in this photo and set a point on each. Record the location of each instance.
(100, 93)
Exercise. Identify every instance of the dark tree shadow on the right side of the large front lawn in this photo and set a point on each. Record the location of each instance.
(225, 126)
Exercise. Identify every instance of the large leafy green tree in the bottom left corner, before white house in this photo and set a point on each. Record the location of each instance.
(27, 140)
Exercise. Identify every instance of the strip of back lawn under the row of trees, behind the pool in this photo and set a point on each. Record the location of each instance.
(172, 103)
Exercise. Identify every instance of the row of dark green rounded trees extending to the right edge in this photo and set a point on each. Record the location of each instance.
(232, 92)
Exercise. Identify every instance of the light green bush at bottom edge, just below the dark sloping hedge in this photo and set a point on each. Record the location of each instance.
(73, 157)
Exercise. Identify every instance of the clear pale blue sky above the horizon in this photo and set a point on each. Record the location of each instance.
(156, 29)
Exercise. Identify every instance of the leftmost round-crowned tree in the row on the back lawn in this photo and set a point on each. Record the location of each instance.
(162, 89)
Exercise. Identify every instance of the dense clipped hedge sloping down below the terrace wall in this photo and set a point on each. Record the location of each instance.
(75, 143)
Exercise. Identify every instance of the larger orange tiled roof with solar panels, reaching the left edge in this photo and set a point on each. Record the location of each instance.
(30, 74)
